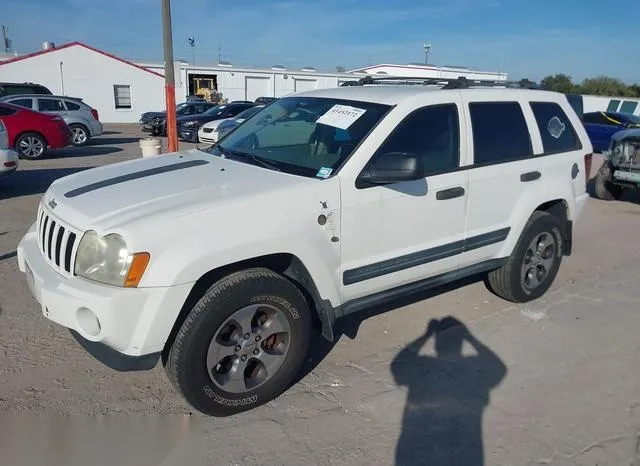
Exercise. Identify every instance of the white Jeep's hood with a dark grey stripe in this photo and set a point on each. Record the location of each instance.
(171, 185)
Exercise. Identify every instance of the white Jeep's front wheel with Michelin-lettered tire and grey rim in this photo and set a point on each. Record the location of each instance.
(242, 344)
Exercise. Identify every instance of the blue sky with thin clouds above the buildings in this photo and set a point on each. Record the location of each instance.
(526, 39)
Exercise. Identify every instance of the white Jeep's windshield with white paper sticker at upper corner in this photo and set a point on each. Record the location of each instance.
(309, 136)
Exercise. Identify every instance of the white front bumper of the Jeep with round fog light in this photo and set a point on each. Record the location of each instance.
(125, 328)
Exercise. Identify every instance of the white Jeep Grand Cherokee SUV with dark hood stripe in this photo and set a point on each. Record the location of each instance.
(324, 203)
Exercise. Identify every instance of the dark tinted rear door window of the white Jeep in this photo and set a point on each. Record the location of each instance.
(500, 132)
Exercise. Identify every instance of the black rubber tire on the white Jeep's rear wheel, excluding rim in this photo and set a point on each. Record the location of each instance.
(508, 281)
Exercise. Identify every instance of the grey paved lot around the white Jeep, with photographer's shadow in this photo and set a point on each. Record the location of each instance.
(565, 387)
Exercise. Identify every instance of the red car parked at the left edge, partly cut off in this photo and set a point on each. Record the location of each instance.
(31, 133)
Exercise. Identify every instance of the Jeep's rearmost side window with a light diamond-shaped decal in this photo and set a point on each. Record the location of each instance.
(556, 130)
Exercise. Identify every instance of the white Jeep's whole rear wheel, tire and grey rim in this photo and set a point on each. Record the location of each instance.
(534, 263)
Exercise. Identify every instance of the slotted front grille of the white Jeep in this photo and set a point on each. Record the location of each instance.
(58, 242)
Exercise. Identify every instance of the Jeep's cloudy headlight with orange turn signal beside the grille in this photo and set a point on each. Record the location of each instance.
(106, 259)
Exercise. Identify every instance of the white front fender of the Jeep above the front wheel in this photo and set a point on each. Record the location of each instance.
(196, 244)
